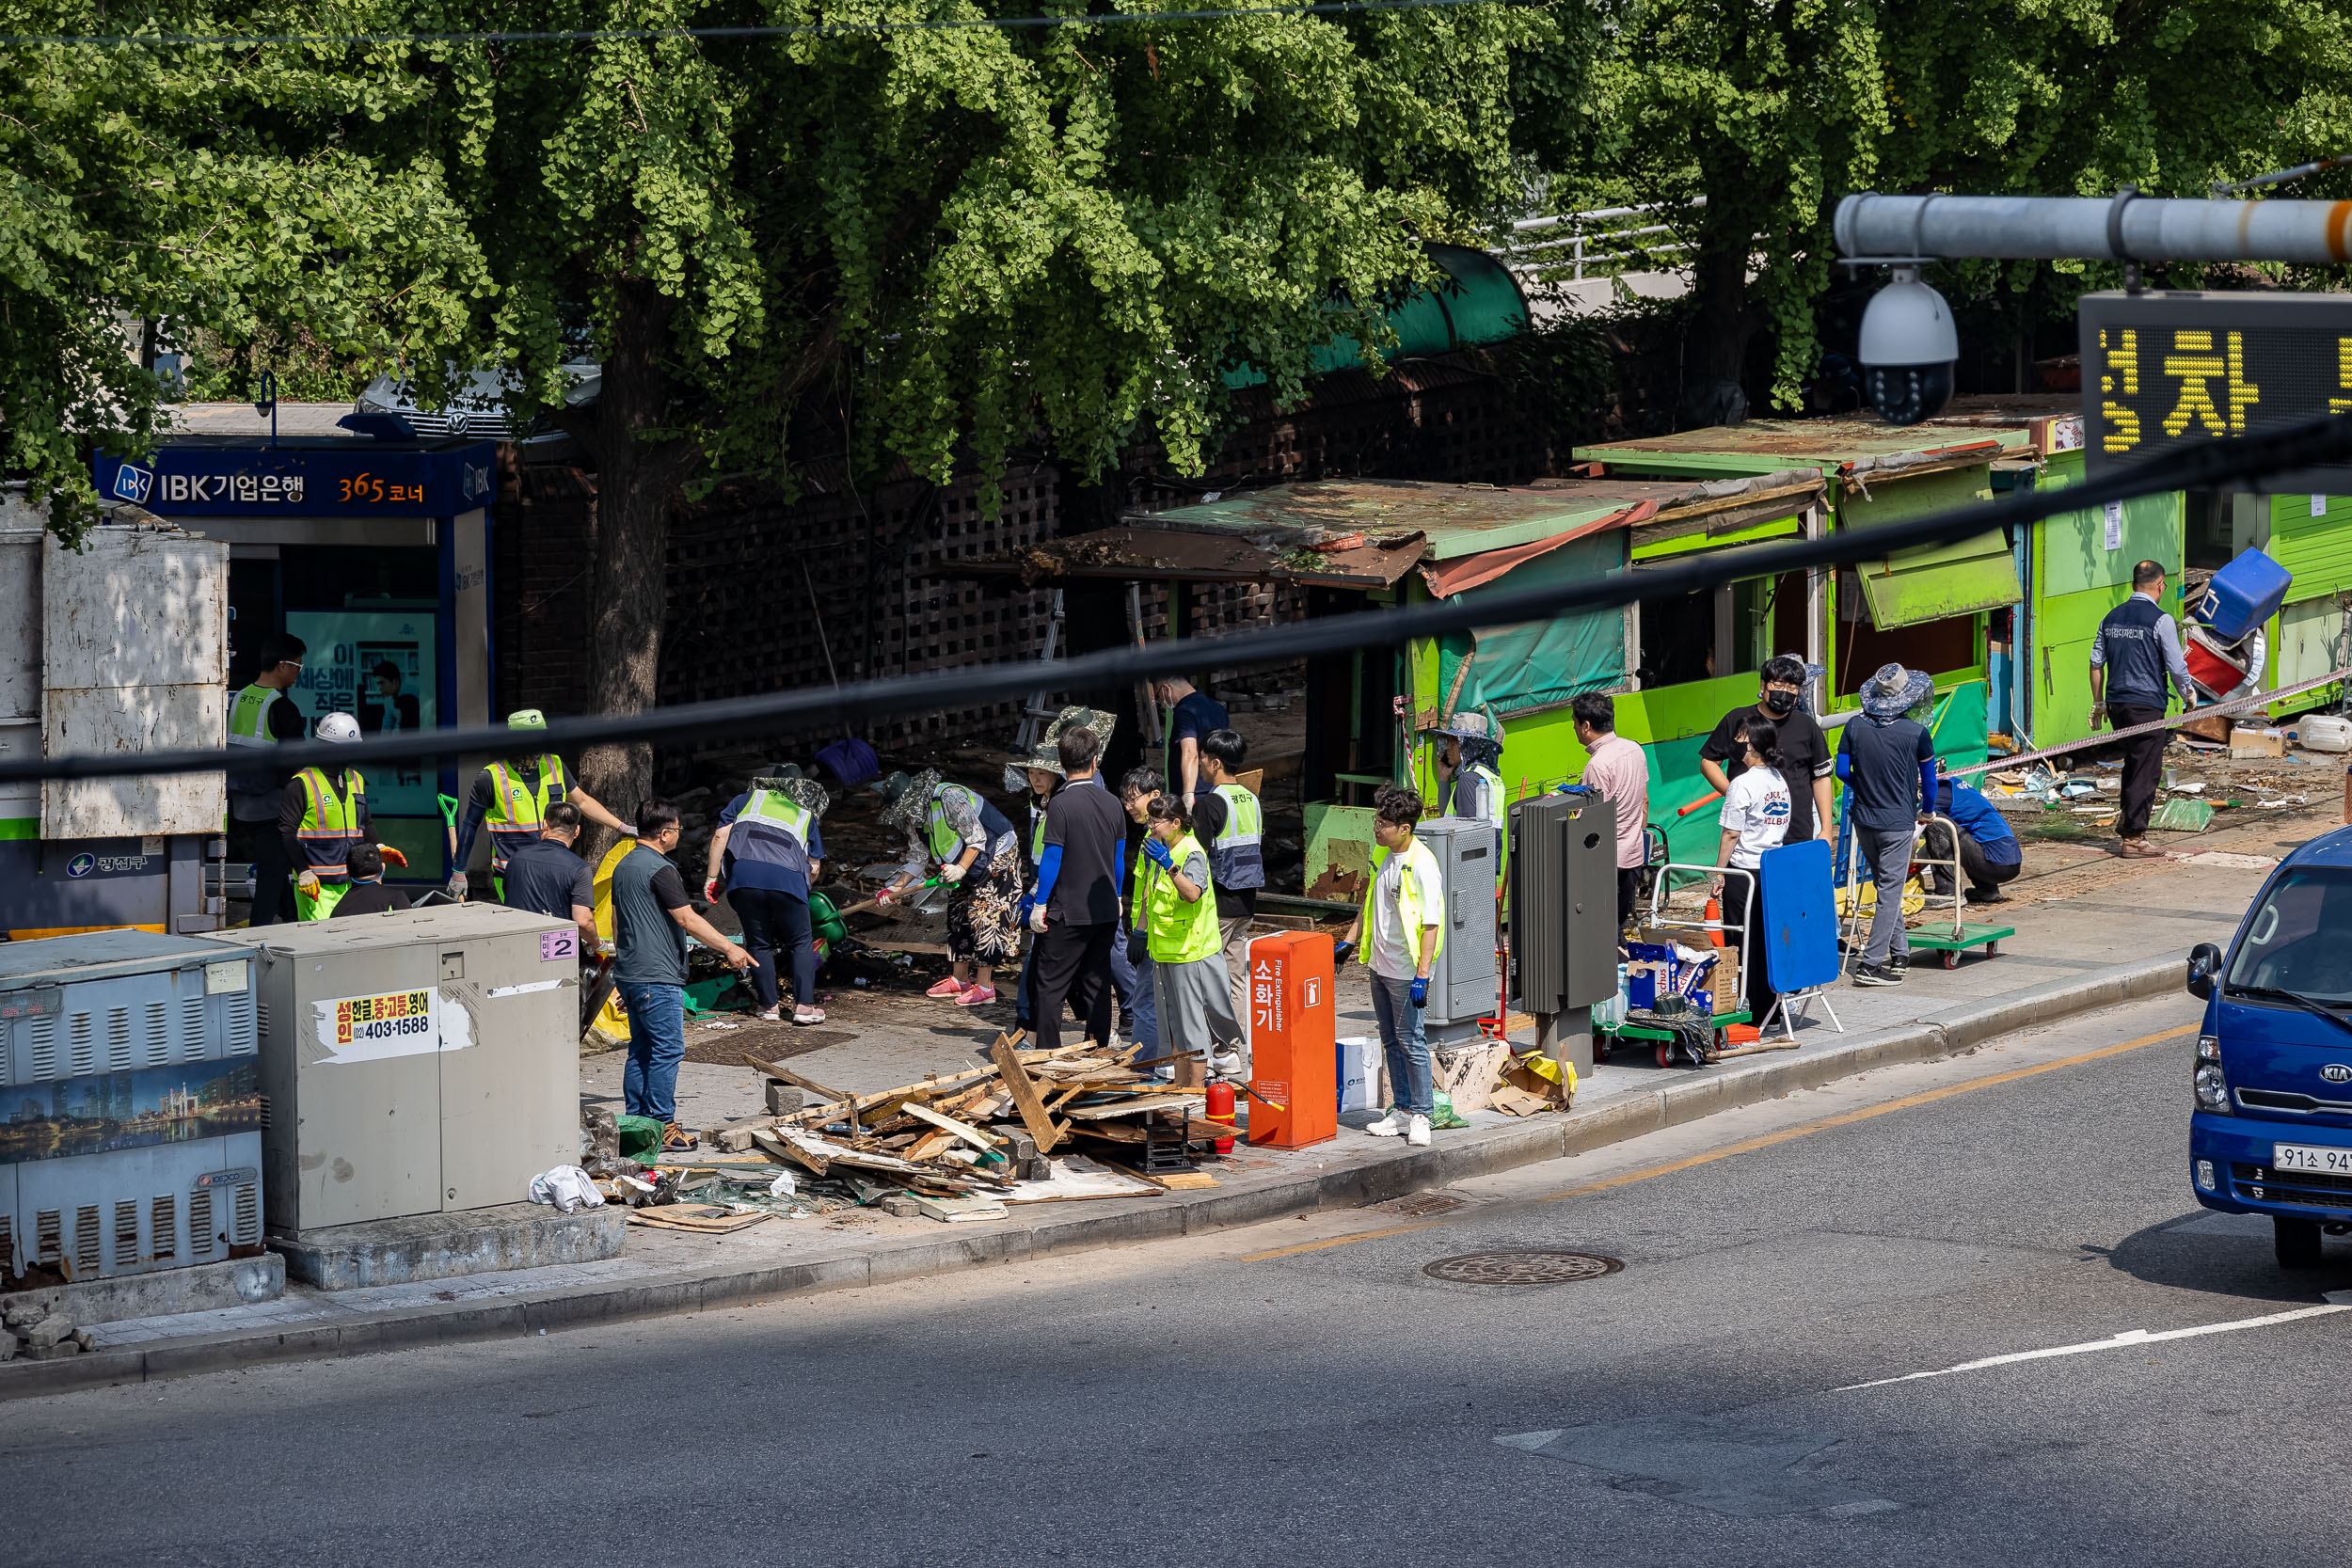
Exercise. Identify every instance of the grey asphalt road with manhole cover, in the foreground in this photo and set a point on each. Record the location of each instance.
(1304, 1393)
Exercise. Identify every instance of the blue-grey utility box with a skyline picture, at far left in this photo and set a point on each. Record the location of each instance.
(131, 1104)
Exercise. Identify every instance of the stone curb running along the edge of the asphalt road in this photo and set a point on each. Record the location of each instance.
(1499, 1148)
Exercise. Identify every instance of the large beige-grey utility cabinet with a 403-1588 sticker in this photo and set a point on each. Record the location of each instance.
(417, 1061)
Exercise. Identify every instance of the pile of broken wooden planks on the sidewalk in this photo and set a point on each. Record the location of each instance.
(1031, 1127)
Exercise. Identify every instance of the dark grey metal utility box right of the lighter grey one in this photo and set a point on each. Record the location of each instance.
(1563, 902)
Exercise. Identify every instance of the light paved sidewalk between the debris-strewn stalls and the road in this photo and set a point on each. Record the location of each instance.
(2090, 932)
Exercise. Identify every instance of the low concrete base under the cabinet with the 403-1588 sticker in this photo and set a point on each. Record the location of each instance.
(450, 1245)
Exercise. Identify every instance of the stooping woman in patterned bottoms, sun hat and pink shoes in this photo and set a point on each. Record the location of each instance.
(968, 845)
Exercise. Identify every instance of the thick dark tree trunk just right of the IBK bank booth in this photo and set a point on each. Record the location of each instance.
(639, 483)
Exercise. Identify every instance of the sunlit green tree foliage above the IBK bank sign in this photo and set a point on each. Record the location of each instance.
(159, 194)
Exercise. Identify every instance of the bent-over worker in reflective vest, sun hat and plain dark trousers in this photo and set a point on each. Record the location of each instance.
(766, 857)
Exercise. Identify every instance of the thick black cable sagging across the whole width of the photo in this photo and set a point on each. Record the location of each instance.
(2205, 467)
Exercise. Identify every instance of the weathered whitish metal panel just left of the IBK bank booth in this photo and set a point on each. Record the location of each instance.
(135, 645)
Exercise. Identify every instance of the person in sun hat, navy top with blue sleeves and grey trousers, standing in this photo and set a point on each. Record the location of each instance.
(1890, 768)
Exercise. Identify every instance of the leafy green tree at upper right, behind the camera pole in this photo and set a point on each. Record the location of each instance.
(1777, 112)
